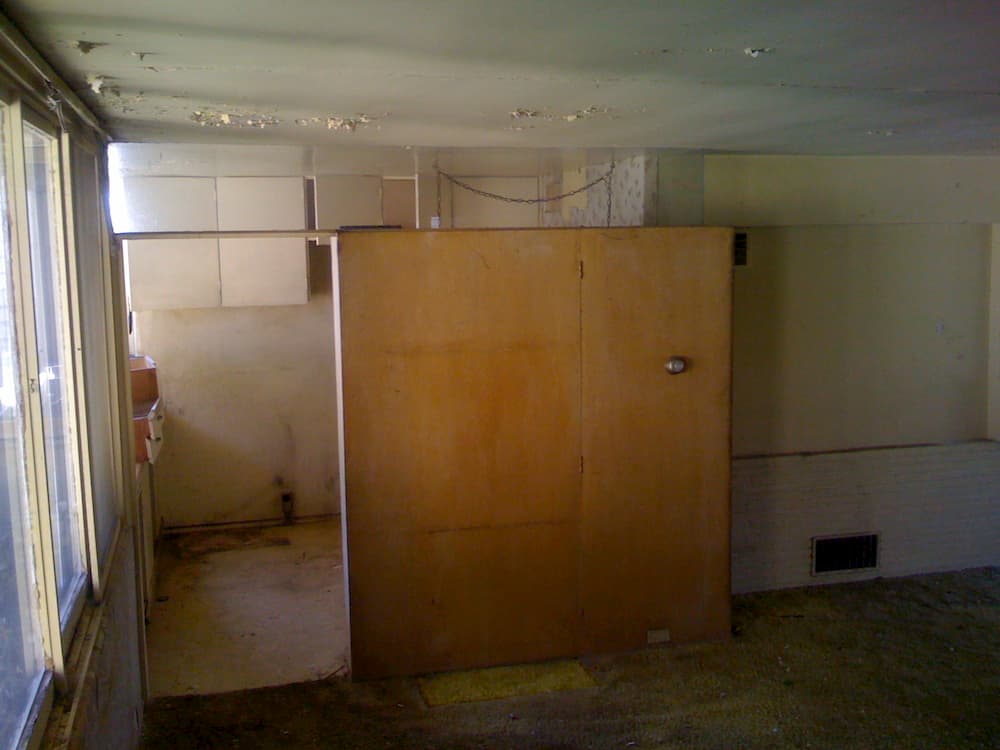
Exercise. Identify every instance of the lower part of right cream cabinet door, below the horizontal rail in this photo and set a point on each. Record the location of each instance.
(264, 271)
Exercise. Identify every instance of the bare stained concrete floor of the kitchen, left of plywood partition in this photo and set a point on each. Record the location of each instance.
(247, 608)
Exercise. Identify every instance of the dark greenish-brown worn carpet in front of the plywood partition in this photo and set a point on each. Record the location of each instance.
(906, 663)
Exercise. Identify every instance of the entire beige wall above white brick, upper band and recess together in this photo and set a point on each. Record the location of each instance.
(864, 314)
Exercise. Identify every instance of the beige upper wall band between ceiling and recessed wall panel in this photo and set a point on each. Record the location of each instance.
(799, 190)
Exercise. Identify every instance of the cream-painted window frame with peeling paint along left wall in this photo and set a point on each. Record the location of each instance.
(57, 636)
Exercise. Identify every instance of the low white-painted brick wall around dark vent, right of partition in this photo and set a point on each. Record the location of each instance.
(935, 508)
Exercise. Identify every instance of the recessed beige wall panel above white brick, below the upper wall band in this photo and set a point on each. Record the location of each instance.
(848, 337)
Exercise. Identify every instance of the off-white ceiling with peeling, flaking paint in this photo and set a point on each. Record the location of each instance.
(782, 76)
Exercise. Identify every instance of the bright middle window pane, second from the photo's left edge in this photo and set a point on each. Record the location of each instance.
(54, 374)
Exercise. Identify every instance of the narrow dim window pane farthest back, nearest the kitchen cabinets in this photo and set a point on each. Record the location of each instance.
(96, 375)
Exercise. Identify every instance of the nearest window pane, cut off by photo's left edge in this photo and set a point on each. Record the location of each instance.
(21, 663)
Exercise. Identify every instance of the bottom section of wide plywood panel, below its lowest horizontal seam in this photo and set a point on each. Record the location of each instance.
(429, 602)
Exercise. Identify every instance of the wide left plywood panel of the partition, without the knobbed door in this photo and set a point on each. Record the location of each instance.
(461, 400)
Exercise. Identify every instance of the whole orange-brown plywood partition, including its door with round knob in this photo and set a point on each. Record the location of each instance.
(484, 371)
